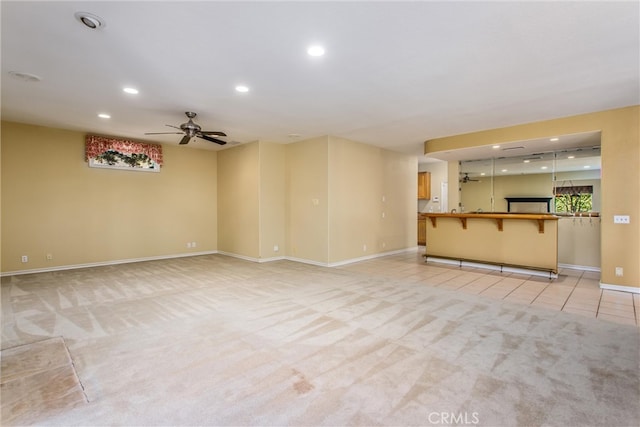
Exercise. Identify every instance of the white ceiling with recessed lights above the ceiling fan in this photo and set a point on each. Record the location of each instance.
(394, 75)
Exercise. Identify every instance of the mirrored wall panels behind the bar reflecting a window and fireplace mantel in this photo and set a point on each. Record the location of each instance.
(569, 179)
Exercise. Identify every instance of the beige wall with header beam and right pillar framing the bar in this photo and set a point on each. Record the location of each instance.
(620, 151)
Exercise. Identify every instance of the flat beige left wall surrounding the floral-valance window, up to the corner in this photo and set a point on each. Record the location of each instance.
(53, 203)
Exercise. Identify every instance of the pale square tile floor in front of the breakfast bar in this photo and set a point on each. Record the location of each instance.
(574, 291)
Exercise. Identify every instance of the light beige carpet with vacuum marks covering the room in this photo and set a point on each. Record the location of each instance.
(213, 340)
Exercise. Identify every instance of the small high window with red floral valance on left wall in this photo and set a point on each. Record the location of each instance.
(111, 153)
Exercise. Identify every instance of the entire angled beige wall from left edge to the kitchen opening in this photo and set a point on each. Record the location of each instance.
(318, 201)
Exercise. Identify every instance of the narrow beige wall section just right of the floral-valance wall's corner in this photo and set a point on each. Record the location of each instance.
(238, 200)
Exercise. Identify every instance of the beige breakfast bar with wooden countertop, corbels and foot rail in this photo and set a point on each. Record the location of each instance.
(507, 239)
